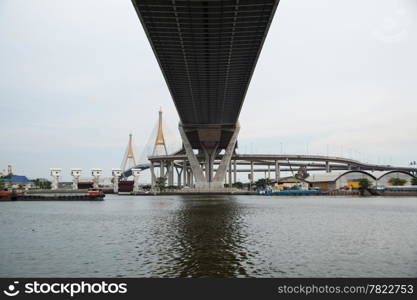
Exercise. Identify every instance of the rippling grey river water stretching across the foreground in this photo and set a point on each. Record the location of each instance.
(210, 236)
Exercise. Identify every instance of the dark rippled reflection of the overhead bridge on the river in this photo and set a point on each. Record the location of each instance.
(210, 235)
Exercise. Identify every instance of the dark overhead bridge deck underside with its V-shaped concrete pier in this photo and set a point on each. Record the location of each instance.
(207, 51)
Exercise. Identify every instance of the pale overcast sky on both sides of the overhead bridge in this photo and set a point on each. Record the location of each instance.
(335, 77)
